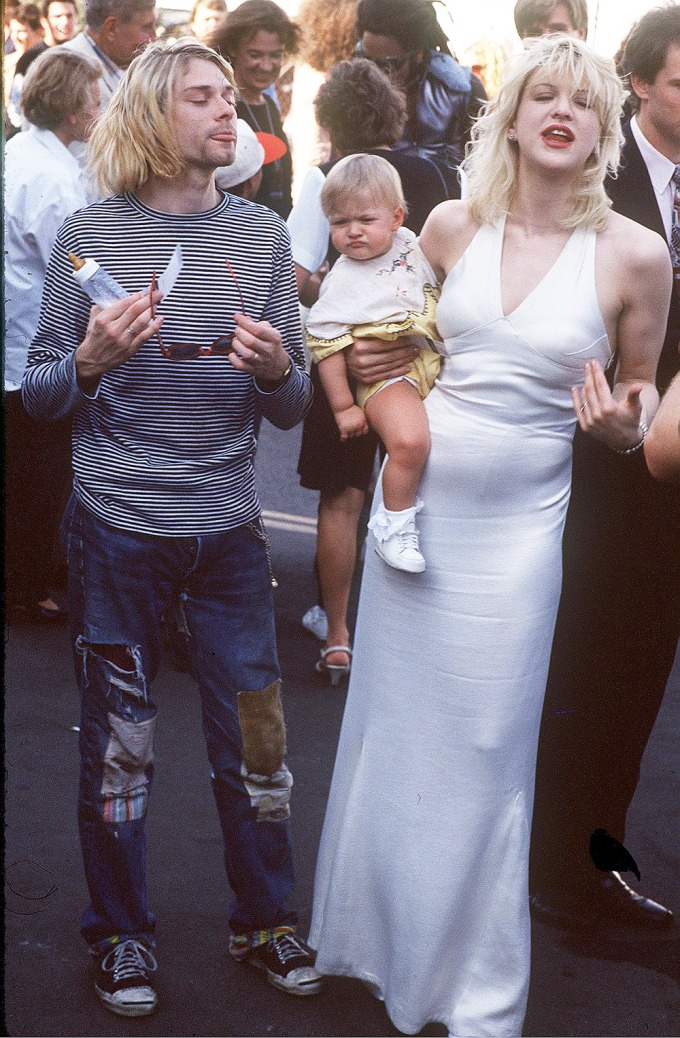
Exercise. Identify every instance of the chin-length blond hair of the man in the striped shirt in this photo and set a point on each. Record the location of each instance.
(134, 140)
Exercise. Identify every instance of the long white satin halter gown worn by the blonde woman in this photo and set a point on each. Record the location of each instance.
(421, 886)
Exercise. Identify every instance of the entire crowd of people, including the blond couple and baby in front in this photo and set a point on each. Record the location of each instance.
(481, 293)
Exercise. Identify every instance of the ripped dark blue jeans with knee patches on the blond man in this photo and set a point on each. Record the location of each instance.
(121, 584)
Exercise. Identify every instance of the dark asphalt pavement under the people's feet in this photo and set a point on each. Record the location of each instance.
(618, 986)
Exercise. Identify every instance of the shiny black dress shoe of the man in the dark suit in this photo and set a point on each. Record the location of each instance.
(605, 900)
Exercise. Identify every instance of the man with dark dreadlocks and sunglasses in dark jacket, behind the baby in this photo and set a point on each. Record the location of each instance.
(405, 40)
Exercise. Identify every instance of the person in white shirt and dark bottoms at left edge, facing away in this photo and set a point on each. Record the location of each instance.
(44, 185)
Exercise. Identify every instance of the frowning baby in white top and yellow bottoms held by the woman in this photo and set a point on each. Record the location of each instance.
(382, 287)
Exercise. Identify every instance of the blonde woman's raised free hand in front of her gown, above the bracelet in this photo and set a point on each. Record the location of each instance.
(613, 418)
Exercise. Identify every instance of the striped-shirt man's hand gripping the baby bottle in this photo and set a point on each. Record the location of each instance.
(116, 334)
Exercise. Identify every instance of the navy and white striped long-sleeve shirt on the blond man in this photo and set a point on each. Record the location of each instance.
(167, 447)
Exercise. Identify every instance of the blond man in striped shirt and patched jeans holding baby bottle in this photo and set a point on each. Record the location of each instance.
(165, 505)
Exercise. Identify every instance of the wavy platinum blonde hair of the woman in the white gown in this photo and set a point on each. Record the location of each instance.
(493, 161)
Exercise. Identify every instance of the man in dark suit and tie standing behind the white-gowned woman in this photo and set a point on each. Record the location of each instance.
(619, 618)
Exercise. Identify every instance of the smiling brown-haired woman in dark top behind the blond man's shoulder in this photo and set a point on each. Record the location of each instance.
(256, 39)
